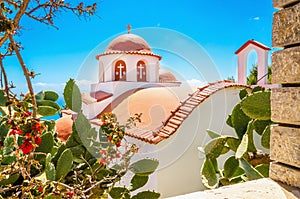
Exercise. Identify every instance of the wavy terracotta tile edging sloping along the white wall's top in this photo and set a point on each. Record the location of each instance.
(177, 117)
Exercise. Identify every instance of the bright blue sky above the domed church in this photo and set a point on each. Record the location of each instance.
(219, 27)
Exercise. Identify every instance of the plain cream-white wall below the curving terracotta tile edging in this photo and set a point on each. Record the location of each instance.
(179, 159)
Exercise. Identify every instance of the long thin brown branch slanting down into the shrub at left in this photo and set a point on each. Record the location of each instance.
(26, 74)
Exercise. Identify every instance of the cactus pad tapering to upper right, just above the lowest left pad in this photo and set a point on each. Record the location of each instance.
(213, 149)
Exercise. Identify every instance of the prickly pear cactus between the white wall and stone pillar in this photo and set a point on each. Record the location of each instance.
(251, 115)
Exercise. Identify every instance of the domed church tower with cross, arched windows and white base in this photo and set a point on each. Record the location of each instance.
(128, 64)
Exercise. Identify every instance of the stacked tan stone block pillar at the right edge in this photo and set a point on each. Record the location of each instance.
(285, 101)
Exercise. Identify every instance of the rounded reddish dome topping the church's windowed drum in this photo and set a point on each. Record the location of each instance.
(129, 43)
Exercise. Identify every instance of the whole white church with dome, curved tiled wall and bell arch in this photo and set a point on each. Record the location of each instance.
(126, 68)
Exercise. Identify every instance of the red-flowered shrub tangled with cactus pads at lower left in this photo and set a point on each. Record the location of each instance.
(36, 164)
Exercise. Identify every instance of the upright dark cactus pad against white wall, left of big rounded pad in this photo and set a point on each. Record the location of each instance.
(239, 120)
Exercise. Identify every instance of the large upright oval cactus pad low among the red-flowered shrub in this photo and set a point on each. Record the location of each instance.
(64, 164)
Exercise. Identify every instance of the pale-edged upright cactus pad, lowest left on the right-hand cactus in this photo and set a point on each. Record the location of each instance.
(208, 174)
